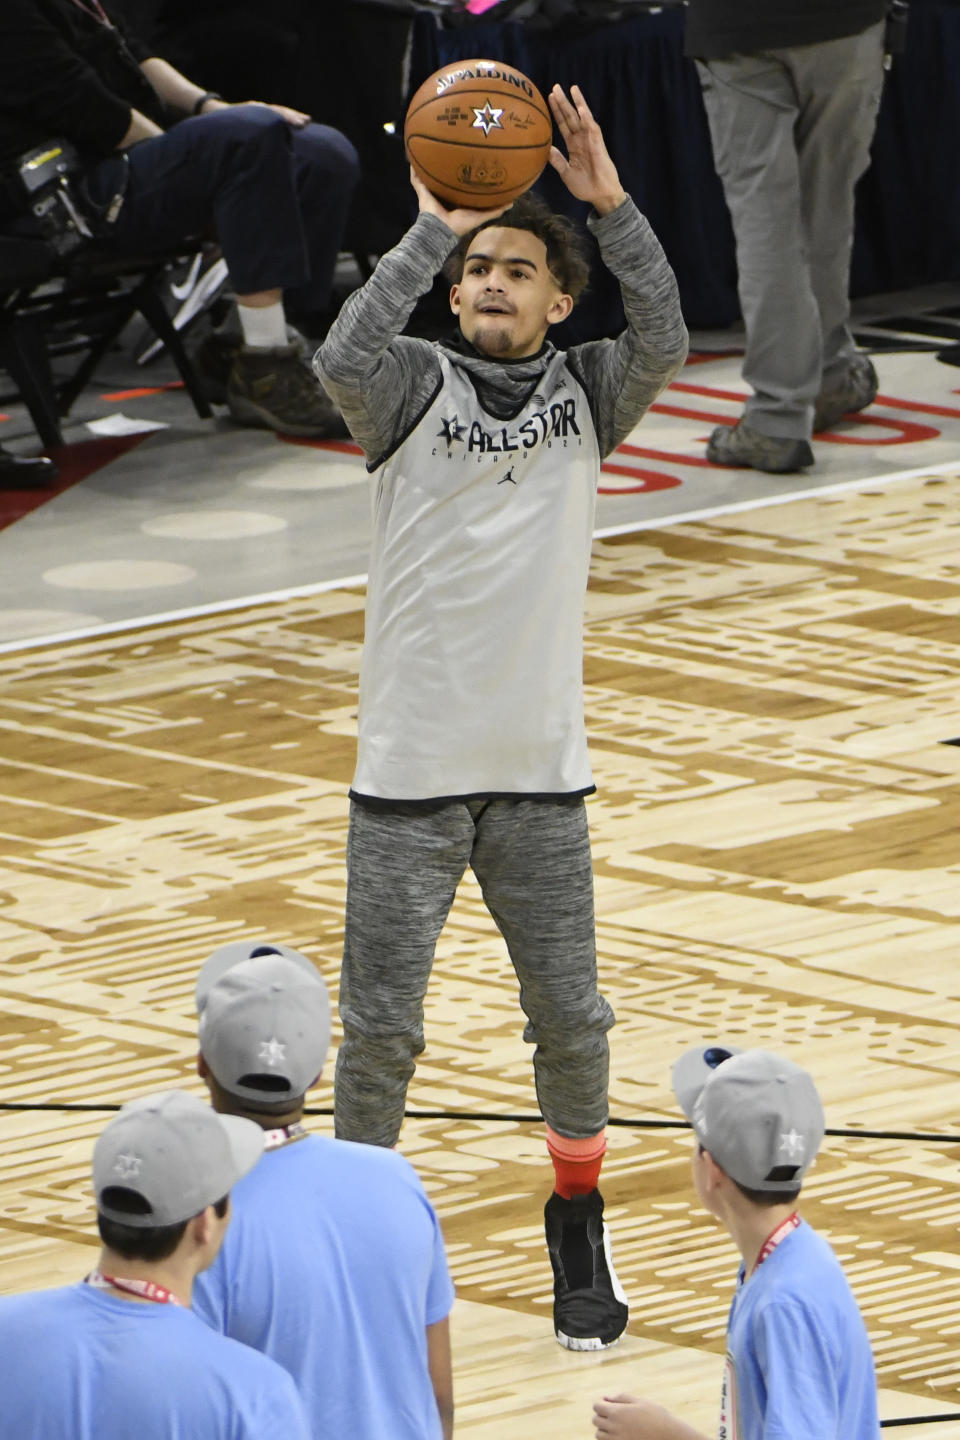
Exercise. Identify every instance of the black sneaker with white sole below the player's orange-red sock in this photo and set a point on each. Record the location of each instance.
(589, 1305)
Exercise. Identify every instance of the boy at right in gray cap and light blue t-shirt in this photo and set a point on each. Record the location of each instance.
(800, 1363)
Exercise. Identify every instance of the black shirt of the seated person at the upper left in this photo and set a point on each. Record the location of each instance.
(65, 74)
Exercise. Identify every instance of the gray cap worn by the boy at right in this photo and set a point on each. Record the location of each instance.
(759, 1115)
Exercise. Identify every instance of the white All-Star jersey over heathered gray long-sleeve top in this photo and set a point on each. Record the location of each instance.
(483, 518)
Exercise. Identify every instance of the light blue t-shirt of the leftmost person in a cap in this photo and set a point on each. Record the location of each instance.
(90, 1366)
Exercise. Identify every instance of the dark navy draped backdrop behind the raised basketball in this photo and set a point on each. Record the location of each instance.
(353, 66)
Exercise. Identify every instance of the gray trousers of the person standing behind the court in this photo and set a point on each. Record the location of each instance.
(791, 133)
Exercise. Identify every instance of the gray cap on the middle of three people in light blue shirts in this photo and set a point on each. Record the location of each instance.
(264, 1022)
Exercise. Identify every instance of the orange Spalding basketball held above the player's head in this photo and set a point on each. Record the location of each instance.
(479, 135)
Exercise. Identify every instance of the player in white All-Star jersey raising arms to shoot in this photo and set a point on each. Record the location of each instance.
(486, 454)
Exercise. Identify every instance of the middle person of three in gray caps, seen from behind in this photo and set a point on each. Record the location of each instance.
(335, 1264)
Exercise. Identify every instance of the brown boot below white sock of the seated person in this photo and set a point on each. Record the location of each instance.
(277, 391)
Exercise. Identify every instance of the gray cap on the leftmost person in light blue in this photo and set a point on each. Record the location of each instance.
(176, 1154)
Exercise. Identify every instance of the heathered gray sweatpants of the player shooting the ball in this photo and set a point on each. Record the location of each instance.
(532, 860)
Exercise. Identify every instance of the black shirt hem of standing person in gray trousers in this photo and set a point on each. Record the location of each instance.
(717, 28)
